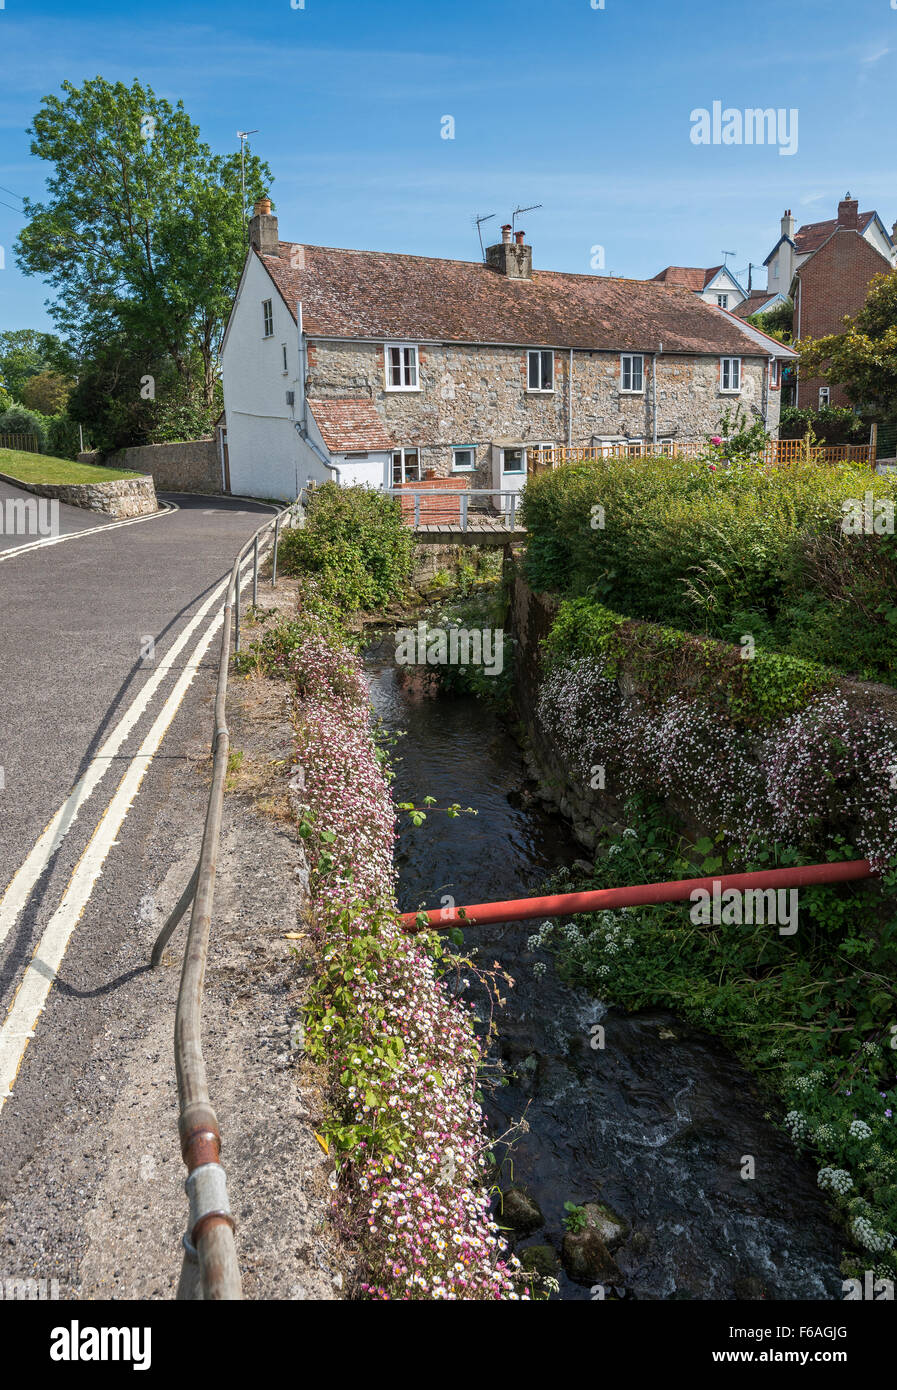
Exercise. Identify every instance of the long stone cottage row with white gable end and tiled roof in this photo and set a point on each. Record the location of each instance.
(386, 369)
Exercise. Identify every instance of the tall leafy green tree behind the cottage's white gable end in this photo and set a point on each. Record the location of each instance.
(143, 231)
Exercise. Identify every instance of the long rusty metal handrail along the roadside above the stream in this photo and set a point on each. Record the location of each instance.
(211, 1270)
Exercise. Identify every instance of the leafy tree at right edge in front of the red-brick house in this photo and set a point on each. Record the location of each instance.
(863, 359)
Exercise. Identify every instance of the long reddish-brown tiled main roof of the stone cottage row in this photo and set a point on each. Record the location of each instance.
(348, 294)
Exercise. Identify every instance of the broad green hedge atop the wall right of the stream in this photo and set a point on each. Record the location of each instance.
(742, 551)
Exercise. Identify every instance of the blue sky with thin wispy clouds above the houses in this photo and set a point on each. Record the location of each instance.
(583, 111)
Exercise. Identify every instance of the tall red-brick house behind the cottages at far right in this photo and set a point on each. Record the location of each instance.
(825, 269)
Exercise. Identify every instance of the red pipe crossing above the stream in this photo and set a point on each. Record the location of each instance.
(565, 904)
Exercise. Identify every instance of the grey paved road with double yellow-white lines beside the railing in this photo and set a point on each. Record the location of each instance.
(88, 629)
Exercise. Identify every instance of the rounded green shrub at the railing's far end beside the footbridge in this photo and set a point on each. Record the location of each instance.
(357, 546)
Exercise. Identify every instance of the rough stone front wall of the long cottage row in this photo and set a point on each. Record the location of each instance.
(474, 395)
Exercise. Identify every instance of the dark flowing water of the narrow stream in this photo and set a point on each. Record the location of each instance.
(658, 1124)
